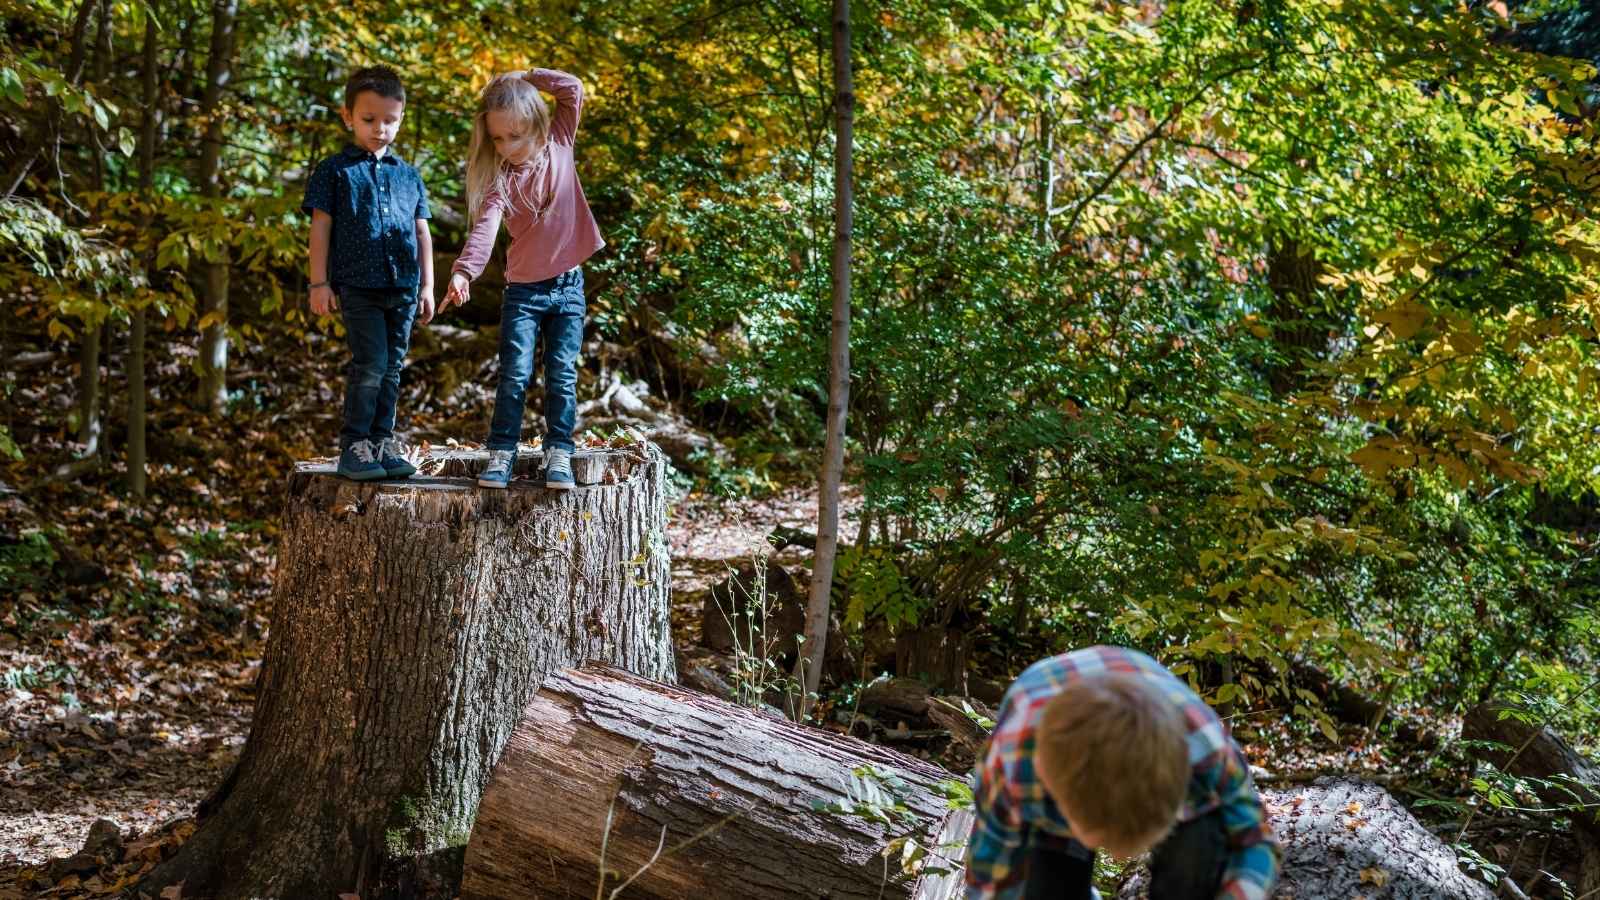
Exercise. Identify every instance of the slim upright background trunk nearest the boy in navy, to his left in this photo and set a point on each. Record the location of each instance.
(214, 273)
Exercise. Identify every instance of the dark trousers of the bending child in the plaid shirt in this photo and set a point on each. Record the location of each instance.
(1188, 866)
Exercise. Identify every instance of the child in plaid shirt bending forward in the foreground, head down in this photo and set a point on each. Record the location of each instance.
(1103, 749)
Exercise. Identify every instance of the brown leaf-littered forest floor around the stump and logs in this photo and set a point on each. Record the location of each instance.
(132, 632)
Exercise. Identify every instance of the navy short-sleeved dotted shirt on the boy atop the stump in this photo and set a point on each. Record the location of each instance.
(375, 204)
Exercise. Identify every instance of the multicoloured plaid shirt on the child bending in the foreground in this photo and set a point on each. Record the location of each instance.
(1015, 813)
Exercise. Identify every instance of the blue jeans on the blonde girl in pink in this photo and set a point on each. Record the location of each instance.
(554, 307)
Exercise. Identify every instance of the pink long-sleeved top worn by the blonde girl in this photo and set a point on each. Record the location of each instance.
(561, 233)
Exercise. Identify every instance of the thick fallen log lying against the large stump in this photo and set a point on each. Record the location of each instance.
(730, 797)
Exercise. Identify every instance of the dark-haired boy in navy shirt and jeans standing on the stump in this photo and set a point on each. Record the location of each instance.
(372, 260)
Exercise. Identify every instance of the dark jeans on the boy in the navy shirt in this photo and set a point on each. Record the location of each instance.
(378, 329)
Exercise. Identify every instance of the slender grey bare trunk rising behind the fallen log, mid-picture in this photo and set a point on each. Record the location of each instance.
(809, 669)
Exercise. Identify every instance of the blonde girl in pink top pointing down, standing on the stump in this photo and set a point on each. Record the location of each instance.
(522, 172)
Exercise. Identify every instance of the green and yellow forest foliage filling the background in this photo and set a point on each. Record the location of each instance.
(1252, 334)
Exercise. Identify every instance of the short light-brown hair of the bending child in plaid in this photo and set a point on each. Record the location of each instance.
(1113, 749)
